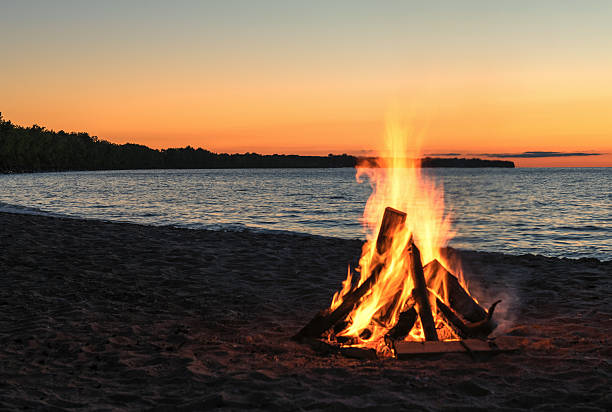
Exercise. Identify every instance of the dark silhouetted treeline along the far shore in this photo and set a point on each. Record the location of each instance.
(37, 149)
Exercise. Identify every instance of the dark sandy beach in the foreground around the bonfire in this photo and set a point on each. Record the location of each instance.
(117, 316)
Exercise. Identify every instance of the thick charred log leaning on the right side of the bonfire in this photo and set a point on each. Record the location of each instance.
(459, 300)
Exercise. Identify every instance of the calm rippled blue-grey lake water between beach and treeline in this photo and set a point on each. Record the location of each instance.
(552, 212)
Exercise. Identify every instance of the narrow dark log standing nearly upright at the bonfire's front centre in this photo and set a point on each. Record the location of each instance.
(420, 293)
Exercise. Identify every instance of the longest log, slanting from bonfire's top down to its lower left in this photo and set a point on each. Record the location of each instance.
(326, 319)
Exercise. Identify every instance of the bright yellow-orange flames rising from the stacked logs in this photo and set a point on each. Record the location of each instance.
(397, 181)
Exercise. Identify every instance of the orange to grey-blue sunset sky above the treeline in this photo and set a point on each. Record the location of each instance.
(475, 78)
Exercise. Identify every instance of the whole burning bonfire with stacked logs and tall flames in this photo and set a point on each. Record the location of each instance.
(402, 299)
